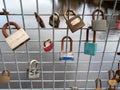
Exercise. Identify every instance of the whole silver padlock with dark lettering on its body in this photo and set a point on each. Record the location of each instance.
(33, 72)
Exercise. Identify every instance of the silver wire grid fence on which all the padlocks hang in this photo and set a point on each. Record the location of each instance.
(55, 74)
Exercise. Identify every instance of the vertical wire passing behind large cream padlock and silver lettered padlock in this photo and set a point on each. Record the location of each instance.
(23, 20)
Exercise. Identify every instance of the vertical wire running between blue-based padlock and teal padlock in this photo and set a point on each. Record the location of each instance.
(77, 66)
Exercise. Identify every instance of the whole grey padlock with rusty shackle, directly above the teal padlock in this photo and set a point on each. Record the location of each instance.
(99, 25)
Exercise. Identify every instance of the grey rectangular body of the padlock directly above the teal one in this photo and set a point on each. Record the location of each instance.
(99, 25)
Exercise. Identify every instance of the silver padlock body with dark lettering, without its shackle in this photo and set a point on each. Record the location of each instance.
(33, 73)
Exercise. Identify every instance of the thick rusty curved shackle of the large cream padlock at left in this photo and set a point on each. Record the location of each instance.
(5, 27)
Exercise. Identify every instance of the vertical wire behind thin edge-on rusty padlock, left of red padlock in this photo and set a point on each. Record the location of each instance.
(40, 50)
